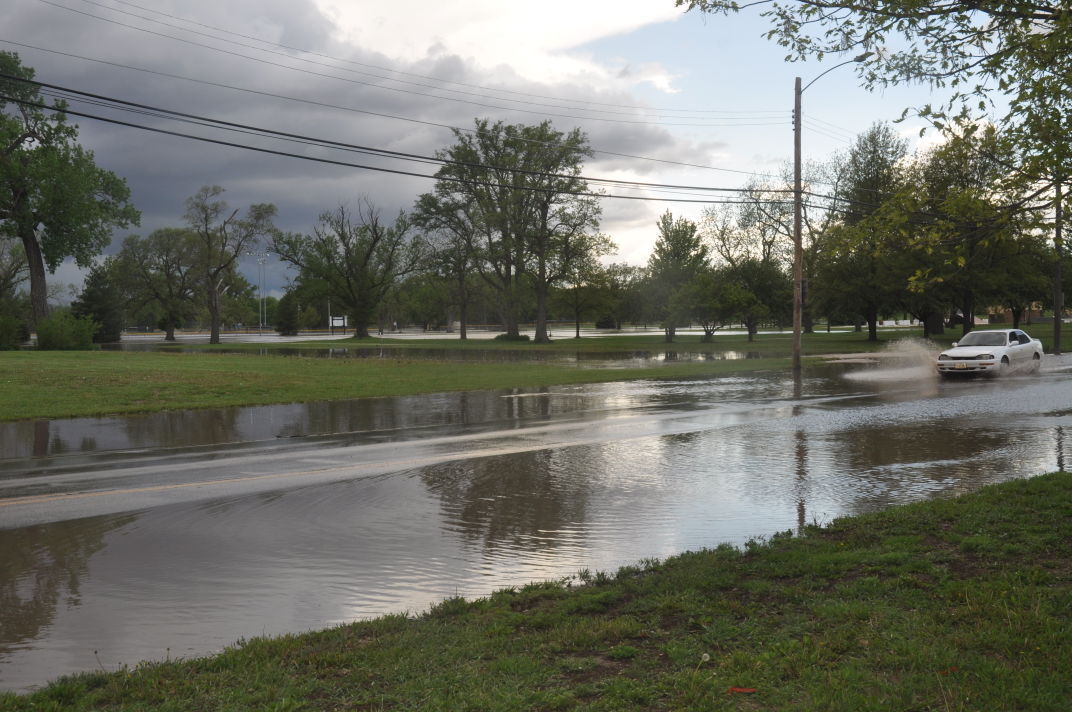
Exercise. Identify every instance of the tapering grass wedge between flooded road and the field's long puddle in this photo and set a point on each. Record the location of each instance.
(69, 384)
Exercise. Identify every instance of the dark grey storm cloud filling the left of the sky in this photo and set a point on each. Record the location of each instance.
(163, 171)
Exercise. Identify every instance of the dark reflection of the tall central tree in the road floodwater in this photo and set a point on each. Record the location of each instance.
(523, 501)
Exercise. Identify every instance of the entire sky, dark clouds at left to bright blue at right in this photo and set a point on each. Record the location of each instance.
(653, 88)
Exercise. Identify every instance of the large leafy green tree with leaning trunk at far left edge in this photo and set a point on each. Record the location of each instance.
(54, 199)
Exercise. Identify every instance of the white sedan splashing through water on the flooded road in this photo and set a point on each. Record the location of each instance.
(992, 352)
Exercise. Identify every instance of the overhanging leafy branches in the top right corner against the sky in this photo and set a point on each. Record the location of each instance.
(1018, 49)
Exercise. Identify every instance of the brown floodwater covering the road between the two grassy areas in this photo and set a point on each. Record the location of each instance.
(176, 535)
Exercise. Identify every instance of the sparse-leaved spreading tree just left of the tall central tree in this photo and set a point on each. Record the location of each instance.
(355, 257)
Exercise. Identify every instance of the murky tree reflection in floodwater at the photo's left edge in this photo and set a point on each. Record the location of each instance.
(42, 567)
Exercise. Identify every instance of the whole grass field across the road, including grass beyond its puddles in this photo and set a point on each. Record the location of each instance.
(69, 384)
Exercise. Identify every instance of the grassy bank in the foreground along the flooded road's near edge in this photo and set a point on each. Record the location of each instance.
(959, 604)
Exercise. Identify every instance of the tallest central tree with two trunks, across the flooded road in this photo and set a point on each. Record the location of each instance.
(519, 191)
